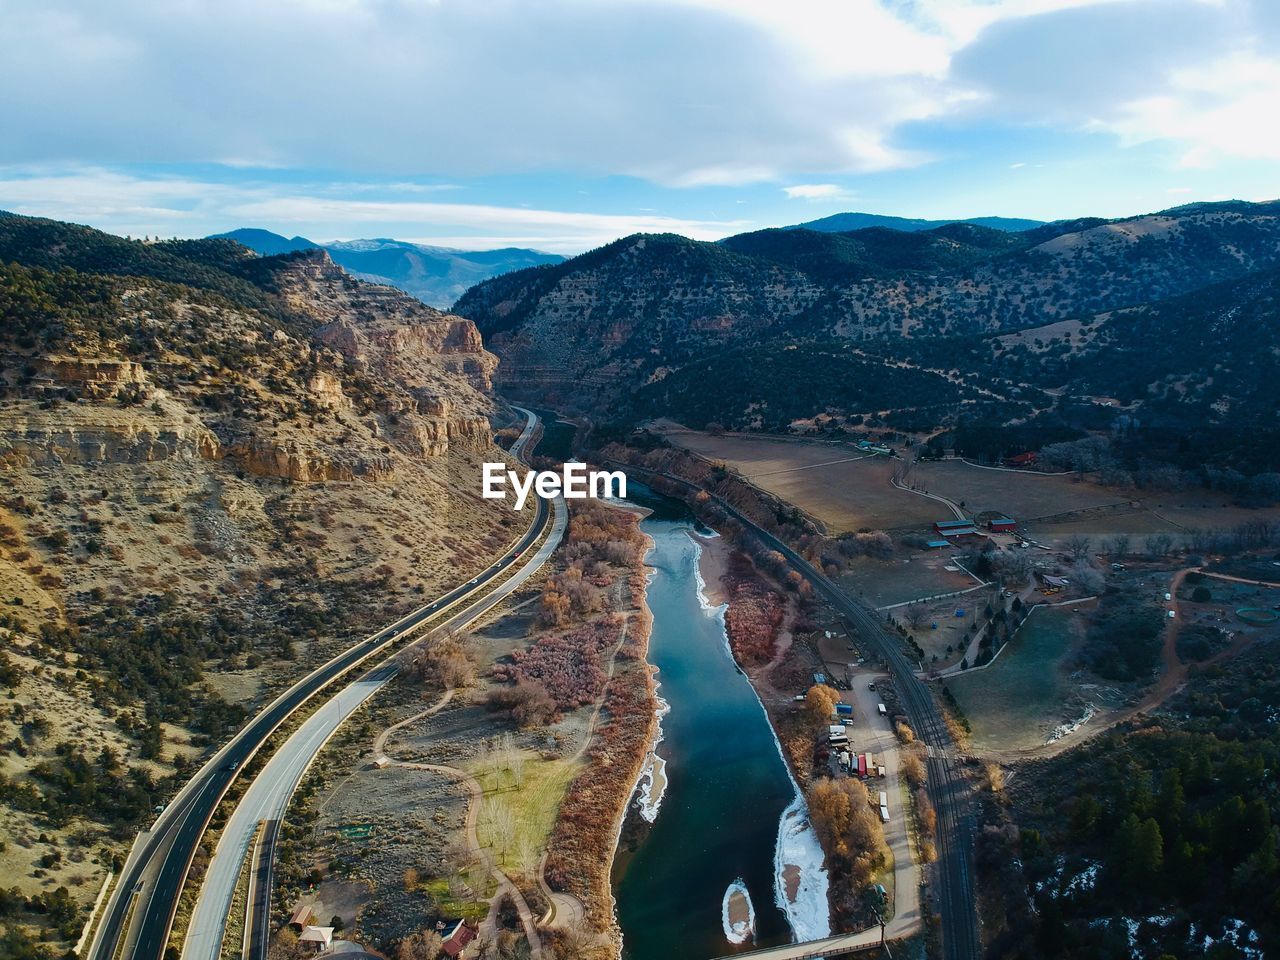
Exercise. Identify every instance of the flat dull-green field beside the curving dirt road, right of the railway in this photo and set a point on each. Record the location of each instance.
(1018, 702)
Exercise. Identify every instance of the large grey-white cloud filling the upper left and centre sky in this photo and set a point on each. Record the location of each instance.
(683, 93)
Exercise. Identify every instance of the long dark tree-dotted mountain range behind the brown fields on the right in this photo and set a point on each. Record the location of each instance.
(642, 327)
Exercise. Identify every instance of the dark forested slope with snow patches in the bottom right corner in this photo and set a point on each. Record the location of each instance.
(1158, 840)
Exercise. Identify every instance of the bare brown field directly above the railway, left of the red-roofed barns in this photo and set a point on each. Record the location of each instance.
(852, 493)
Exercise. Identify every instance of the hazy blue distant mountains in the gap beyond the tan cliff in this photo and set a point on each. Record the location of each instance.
(437, 276)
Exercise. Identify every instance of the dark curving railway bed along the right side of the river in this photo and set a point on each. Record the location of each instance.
(947, 784)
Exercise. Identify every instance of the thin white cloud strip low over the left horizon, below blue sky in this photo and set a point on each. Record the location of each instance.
(147, 205)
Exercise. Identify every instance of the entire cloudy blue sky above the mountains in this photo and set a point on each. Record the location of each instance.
(564, 125)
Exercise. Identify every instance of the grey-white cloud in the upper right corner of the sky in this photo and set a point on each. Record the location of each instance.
(1200, 76)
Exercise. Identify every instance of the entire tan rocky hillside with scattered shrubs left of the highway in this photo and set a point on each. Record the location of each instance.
(218, 470)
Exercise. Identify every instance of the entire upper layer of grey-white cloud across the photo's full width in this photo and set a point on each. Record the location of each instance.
(691, 94)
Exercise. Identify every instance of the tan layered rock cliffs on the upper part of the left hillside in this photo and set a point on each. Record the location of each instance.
(356, 378)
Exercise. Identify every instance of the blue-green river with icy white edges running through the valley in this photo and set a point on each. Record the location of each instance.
(726, 784)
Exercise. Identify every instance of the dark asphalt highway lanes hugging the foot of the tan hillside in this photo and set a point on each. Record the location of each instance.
(141, 909)
